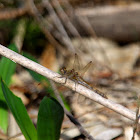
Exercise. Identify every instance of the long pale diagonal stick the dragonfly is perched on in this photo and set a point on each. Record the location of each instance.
(70, 84)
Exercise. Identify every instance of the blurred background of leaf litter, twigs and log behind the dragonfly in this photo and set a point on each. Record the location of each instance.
(106, 32)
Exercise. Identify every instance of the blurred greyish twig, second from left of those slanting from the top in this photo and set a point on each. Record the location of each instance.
(65, 38)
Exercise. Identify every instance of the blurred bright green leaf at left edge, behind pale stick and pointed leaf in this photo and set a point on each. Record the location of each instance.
(7, 69)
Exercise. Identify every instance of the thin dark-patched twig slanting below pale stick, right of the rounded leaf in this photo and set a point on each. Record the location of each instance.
(69, 115)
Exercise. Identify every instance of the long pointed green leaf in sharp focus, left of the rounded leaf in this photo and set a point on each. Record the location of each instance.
(20, 114)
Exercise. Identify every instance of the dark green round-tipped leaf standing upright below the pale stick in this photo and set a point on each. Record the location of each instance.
(50, 119)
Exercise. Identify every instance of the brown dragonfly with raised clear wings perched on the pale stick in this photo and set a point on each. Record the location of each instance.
(76, 74)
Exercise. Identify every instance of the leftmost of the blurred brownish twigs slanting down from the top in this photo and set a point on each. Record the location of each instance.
(44, 25)
